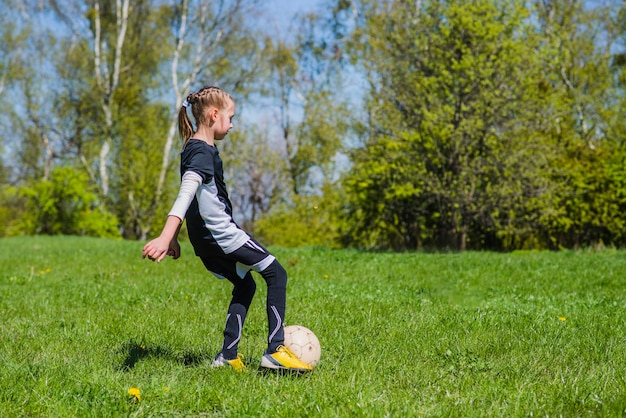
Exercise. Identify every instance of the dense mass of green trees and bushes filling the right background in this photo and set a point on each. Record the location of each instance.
(483, 131)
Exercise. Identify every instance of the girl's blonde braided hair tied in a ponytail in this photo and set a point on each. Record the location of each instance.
(205, 97)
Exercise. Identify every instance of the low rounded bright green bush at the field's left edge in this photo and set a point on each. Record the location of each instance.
(65, 204)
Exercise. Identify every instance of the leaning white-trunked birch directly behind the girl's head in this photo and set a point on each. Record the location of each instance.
(203, 32)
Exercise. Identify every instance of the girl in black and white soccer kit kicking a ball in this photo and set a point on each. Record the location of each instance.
(225, 249)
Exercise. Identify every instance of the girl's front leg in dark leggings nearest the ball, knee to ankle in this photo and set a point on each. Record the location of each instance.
(276, 278)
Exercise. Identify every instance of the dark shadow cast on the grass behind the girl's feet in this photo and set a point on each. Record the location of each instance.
(134, 352)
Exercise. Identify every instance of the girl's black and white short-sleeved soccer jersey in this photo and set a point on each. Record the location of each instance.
(210, 224)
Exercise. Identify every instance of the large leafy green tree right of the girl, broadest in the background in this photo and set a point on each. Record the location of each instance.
(451, 92)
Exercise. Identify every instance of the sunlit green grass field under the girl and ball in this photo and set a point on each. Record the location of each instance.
(473, 334)
